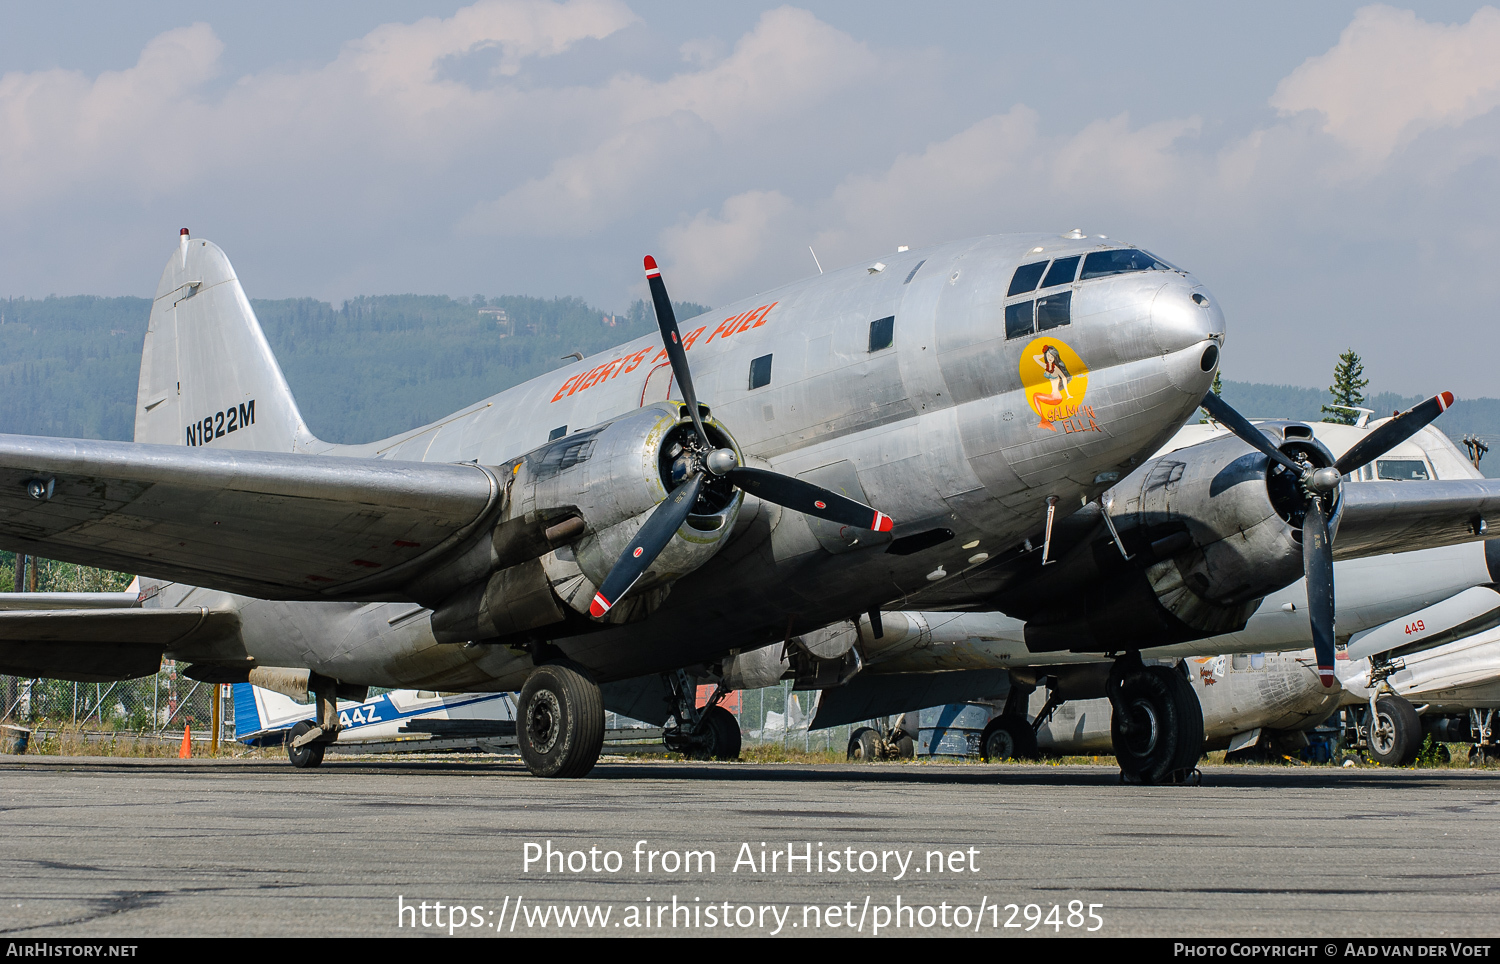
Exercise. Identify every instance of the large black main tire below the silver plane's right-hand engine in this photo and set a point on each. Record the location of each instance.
(1168, 737)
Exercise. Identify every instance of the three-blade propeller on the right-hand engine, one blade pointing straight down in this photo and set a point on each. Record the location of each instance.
(1319, 489)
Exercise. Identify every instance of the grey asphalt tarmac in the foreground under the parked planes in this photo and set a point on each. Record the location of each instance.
(116, 848)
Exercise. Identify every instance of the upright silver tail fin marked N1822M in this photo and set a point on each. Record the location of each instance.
(208, 374)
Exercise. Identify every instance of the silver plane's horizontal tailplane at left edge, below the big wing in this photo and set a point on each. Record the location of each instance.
(100, 645)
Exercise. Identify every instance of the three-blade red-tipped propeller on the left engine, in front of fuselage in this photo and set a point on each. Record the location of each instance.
(703, 463)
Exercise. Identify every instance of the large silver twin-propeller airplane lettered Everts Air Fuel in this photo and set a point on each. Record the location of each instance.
(601, 525)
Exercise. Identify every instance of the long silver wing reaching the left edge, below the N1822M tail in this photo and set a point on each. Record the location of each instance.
(272, 525)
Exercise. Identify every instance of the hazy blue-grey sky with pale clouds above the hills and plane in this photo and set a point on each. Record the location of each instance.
(1328, 170)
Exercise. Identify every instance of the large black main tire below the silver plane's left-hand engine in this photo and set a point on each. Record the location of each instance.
(560, 726)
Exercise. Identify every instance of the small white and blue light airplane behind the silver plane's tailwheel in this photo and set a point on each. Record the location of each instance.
(412, 719)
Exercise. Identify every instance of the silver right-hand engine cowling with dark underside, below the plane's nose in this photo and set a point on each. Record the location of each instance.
(1211, 531)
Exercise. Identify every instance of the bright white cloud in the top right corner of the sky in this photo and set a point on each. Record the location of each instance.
(1391, 77)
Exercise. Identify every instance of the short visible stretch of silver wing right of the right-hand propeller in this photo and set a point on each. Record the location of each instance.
(1400, 516)
